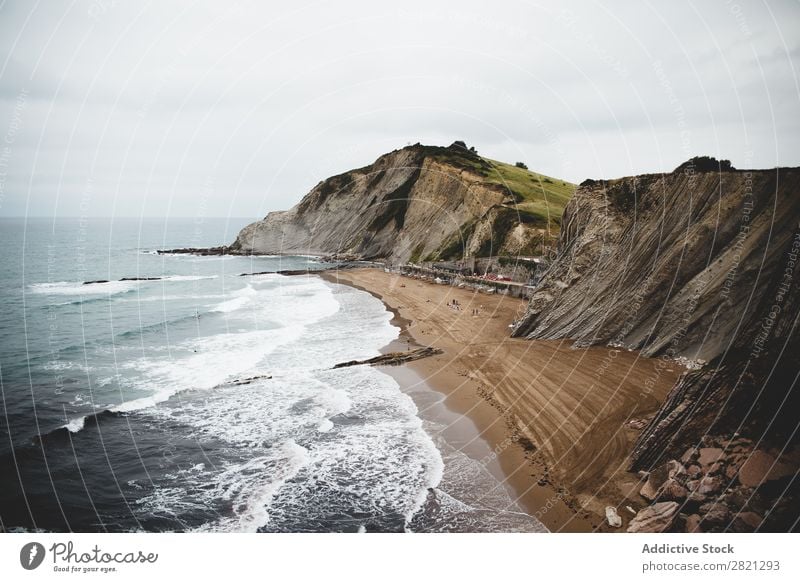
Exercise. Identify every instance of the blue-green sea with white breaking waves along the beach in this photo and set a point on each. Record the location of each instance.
(205, 399)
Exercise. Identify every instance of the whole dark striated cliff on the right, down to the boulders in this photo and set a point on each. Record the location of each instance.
(700, 264)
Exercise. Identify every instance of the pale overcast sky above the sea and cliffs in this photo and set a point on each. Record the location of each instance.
(112, 108)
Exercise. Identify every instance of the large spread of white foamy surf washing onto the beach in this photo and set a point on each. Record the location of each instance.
(310, 441)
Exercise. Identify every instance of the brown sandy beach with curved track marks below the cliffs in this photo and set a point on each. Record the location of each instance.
(555, 417)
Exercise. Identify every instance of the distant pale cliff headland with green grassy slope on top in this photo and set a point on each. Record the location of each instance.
(417, 203)
